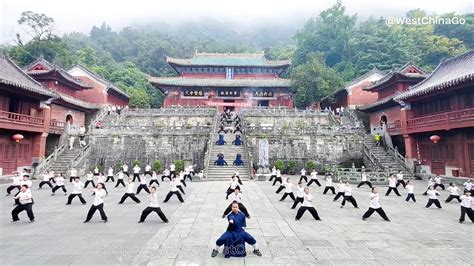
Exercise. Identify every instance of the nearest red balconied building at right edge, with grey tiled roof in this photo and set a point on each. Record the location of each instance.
(437, 118)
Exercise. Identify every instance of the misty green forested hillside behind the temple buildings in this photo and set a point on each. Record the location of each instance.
(328, 50)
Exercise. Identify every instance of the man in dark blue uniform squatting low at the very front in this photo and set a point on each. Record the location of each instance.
(235, 237)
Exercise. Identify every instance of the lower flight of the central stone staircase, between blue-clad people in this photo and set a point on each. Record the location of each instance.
(230, 151)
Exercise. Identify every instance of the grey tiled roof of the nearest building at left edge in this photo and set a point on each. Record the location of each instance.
(11, 74)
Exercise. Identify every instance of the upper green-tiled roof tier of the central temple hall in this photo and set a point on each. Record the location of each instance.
(221, 59)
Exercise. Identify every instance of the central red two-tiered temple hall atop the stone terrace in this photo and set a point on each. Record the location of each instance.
(229, 81)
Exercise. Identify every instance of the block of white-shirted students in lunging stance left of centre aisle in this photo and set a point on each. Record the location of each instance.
(96, 179)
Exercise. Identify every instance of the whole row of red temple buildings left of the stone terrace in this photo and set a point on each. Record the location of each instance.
(44, 103)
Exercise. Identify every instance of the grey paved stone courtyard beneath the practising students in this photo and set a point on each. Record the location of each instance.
(415, 236)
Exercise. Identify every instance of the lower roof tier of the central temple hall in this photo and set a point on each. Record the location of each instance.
(196, 82)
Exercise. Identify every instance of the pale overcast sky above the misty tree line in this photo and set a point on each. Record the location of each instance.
(81, 15)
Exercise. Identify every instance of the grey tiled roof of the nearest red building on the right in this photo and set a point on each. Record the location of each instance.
(447, 74)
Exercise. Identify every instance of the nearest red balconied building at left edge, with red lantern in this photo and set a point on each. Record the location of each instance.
(25, 110)
